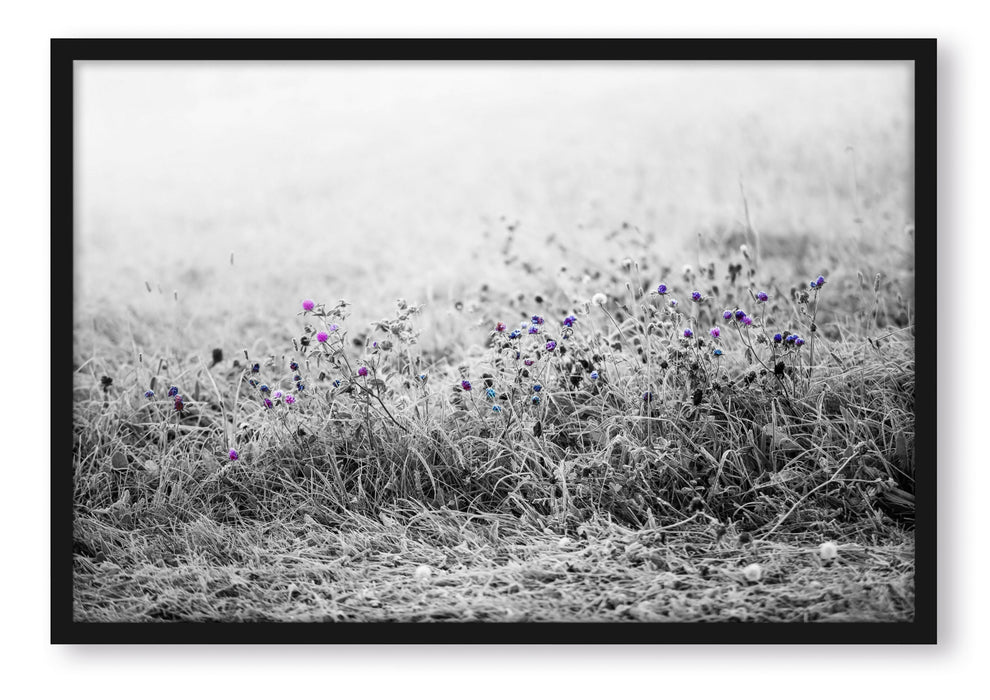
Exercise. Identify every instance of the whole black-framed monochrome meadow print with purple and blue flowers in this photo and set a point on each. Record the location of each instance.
(493, 341)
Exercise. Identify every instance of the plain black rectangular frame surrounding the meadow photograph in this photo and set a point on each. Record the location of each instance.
(922, 52)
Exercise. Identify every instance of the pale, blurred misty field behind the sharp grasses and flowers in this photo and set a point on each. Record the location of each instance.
(369, 182)
